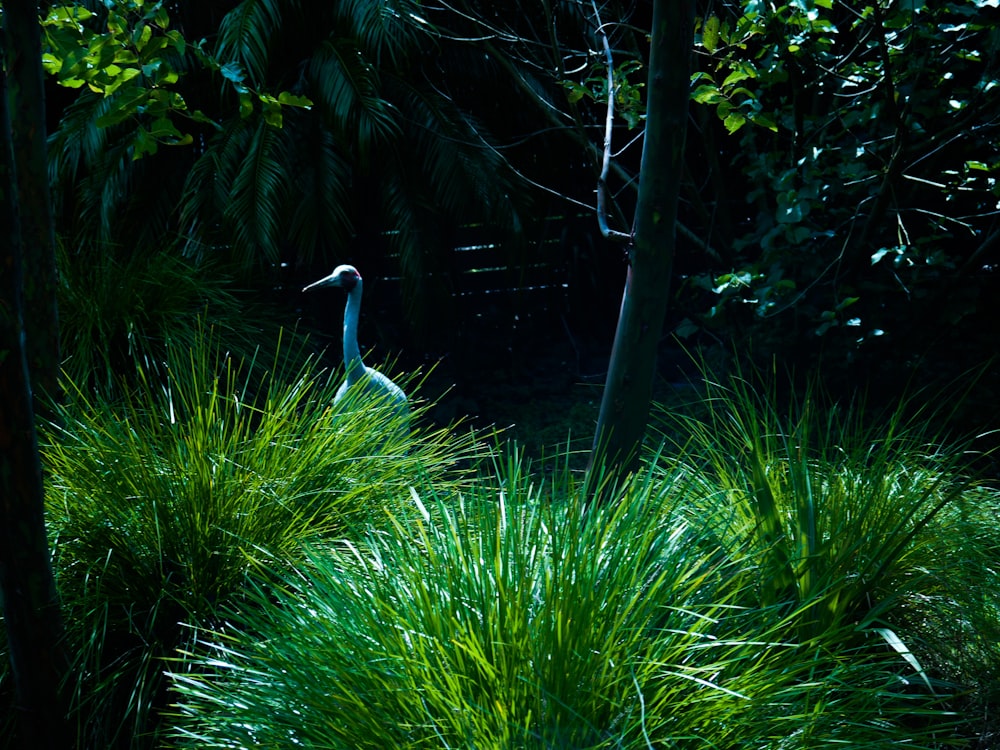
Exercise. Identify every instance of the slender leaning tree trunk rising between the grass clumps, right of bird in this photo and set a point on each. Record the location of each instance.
(624, 408)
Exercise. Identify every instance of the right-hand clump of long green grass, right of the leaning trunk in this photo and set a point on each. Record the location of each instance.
(860, 536)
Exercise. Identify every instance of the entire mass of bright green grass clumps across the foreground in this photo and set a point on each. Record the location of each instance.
(242, 565)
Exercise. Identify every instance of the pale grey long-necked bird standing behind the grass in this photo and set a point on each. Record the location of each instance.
(369, 385)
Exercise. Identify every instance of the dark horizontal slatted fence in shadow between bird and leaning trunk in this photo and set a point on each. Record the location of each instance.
(499, 301)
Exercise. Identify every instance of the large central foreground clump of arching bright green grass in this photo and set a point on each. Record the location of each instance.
(512, 617)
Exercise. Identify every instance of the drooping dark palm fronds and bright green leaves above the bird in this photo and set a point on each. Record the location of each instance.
(269, 179)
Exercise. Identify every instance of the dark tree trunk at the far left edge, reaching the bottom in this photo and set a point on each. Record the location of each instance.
(30, 604)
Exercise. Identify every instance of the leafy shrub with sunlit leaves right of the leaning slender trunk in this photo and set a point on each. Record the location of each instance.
(870, 200)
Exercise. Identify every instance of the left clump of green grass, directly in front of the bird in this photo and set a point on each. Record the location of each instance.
(161, 500)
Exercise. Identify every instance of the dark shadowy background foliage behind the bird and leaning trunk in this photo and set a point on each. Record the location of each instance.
(839, 211)
